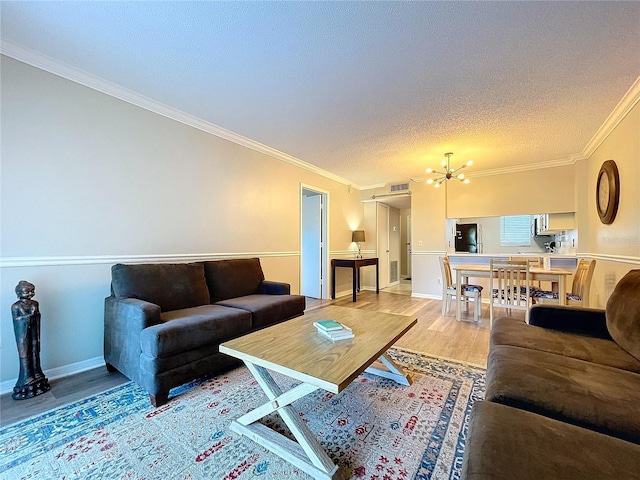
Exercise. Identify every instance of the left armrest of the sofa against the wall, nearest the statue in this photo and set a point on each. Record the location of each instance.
(124, 319)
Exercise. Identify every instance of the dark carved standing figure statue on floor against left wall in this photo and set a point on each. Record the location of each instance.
(26, 325)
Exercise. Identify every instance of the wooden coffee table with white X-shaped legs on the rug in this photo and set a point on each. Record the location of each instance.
(294, 348)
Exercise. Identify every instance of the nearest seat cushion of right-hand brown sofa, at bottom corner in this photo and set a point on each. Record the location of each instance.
(507, 443)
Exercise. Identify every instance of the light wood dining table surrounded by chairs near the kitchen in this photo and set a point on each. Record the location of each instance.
(557, 277)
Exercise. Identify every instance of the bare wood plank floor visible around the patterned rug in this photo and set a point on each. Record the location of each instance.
(434, 334)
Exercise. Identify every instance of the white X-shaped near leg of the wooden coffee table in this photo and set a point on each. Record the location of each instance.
(307, 453)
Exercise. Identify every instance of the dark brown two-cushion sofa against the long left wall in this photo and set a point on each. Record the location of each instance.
(163, 323)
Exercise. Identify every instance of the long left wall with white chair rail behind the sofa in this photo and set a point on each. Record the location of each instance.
(89, 180)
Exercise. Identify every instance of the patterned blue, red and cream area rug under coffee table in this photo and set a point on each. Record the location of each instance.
(374, 429)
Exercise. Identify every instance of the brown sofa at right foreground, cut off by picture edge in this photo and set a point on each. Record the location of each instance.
(563, 394)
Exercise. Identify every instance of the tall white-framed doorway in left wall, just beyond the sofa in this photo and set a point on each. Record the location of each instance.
(313, 241)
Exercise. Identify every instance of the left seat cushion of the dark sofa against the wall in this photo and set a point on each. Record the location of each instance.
(192, 328)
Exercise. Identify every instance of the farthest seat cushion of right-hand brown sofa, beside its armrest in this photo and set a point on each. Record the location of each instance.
(509, 331)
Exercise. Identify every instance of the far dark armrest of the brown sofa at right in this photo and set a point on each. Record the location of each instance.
(586, 321)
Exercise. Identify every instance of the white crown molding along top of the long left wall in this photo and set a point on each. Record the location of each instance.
(48, 64)
